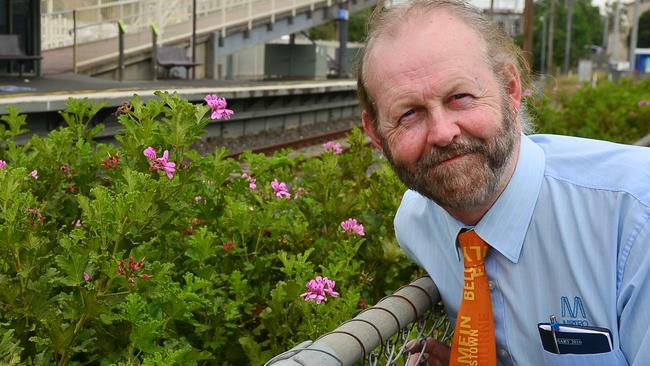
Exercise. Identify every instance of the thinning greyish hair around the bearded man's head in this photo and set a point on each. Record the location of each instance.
(501, 50)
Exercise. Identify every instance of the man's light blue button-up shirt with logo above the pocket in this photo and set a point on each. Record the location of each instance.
(570, 236)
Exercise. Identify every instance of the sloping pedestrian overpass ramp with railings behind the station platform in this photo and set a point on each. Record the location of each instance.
(86, 39)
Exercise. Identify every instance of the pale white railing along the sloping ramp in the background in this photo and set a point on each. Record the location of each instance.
(98, 20)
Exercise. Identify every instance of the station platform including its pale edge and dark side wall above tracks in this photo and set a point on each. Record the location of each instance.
(259, 106)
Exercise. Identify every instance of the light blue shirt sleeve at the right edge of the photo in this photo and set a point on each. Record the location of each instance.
(633, 303)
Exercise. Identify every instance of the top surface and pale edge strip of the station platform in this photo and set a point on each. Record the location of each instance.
(50, 93)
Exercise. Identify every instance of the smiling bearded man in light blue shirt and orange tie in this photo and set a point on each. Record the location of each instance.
(564, 221)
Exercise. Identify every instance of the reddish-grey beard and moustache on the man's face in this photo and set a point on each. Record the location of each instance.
(471, 181)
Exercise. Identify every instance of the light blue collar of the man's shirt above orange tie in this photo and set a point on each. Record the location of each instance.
(504, 226)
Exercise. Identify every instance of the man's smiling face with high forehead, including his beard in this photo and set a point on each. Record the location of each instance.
(445, 123)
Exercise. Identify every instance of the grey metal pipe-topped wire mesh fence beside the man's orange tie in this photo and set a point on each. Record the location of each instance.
(379, 334)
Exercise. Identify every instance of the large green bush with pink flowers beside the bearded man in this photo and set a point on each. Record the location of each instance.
(150, 253)
